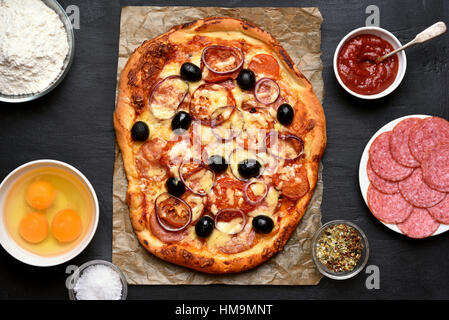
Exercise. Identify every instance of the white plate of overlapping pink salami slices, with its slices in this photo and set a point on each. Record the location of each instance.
(404, 175)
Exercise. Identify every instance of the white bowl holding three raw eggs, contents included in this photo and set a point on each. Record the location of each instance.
(48, 213)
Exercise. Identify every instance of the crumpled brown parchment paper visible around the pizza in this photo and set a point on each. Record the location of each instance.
(298, 29)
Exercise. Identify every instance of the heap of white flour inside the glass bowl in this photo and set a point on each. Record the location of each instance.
(33, 46)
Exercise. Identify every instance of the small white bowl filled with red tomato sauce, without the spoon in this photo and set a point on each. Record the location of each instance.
(355, 63)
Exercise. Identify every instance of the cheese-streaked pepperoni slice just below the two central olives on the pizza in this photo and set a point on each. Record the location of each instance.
(227, 194)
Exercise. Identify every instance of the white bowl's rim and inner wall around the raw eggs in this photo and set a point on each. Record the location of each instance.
(28, 257)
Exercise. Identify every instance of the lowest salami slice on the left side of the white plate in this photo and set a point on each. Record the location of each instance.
(389, 208)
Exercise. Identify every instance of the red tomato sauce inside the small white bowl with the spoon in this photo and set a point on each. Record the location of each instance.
(357, 65)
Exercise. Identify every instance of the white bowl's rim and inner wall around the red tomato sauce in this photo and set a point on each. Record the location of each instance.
(386, 35)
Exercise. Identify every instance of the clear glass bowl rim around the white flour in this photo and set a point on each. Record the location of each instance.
(54, 5)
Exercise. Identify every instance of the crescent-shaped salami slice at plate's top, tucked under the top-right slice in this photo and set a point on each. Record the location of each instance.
(399, 142)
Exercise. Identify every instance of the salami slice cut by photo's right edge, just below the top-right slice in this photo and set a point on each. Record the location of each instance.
(435, 168)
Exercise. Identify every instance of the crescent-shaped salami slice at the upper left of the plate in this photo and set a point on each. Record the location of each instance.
(383, 163)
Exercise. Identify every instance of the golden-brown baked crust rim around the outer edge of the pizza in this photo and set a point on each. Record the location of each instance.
(130, 101)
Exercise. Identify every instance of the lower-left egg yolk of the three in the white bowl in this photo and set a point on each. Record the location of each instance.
(34, 227)
